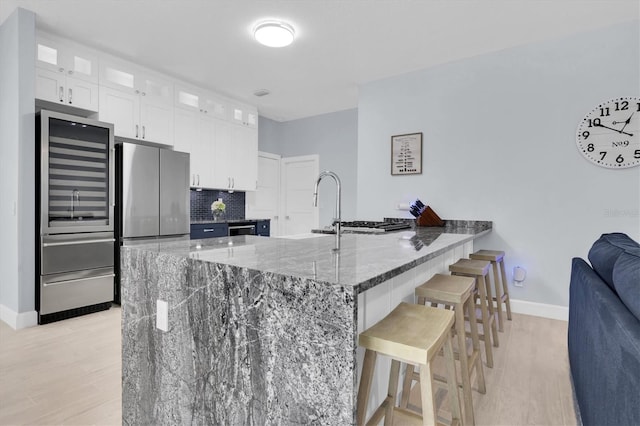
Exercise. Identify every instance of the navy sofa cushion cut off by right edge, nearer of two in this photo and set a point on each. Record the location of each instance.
(626, 279)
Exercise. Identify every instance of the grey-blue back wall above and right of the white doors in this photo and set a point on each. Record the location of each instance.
(334, 138)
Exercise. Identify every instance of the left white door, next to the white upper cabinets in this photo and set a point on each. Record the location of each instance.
(265, 201)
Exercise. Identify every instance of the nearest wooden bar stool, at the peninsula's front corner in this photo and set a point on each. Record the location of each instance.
(413, 334)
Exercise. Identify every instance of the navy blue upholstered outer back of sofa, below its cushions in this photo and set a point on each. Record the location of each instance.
(604, 351)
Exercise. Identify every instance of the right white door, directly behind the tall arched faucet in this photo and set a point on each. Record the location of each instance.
(299, 176)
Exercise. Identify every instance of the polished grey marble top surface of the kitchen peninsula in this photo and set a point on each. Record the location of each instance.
(363, 261)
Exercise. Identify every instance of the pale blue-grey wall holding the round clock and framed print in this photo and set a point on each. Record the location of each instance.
(499, 144)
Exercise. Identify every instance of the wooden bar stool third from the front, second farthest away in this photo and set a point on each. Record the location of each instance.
(479, 270)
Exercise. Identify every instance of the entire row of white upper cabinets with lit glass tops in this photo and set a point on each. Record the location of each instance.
(220, 134)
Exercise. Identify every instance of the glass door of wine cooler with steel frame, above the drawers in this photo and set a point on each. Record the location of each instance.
(77, 174)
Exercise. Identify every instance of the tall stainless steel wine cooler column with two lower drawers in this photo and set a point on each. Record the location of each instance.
(75, 213)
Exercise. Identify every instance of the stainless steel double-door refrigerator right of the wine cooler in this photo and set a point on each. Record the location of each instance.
(152, 196)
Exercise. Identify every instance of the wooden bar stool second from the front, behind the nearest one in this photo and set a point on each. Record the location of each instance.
(457, 292)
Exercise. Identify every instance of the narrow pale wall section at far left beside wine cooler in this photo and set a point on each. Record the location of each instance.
(17, 174)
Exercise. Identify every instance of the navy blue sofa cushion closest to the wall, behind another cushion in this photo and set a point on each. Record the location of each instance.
(606, 250)
